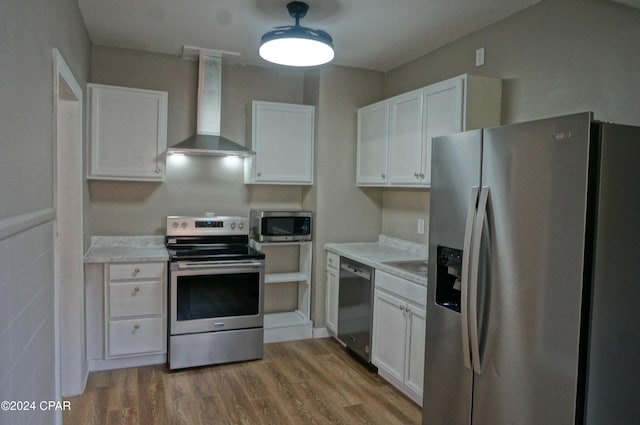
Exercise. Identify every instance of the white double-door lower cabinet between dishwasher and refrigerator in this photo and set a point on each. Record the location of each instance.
(399, 324)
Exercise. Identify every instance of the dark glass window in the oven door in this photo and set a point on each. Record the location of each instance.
(217, 296)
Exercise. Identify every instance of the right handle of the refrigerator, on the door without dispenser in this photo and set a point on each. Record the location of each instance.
(478, 228)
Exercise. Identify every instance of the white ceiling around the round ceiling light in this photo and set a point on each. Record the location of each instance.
(370, 34)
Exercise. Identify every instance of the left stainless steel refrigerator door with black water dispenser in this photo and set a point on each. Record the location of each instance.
(447, 384)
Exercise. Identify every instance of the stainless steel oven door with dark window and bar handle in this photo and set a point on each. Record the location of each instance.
(216, 296)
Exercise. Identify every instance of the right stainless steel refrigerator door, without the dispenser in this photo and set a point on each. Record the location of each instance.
(531, 272)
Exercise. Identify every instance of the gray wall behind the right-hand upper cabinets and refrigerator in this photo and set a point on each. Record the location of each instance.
(556, 57)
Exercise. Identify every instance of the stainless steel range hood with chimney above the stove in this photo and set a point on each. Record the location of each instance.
(207, 140)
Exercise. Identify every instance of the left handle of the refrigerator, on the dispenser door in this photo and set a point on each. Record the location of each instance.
(464, 284)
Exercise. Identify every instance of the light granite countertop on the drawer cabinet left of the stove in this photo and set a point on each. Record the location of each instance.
(122, 249)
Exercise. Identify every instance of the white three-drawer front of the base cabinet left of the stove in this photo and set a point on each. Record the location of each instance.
(135, 319)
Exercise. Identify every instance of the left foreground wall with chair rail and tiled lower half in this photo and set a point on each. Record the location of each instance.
(28, 32)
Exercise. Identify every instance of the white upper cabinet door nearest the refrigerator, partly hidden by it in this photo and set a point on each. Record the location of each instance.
(442, 115)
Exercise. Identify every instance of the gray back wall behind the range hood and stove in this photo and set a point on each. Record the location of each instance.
(194, 185)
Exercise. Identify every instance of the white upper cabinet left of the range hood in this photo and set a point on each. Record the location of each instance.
(127, 132)
